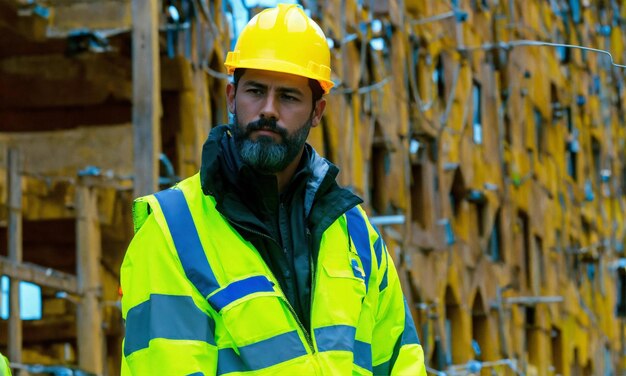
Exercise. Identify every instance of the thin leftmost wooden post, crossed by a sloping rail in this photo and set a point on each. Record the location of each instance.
(14, 235)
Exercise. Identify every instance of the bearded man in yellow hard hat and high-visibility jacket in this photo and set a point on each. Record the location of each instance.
(261, 264)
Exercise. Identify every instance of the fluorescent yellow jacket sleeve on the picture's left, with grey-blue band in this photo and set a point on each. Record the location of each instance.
(169, 329)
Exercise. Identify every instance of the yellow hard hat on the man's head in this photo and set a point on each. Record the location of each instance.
(283, 39)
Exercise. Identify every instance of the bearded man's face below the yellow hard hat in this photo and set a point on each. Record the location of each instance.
(273, 117)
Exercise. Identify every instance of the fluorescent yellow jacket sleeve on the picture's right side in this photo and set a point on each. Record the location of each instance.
(396, 349)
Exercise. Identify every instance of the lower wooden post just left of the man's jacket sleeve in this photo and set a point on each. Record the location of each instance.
(89, 315)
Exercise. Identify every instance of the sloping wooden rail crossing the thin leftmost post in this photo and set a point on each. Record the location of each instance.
(39, 275)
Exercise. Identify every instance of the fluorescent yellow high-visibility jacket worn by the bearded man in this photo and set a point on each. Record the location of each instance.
(199, 299)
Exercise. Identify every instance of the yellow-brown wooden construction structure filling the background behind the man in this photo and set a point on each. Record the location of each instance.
(486, 136)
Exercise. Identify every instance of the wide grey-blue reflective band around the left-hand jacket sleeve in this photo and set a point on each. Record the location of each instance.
(166, 316)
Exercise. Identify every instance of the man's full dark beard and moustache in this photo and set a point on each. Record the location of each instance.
(264, 154)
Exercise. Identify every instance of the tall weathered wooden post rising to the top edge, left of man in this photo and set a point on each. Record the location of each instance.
(146, 96)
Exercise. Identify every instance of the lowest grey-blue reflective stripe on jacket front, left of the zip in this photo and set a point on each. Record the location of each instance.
(262, 354)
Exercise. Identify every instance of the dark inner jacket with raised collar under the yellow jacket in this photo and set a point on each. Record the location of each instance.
(286, 229)
